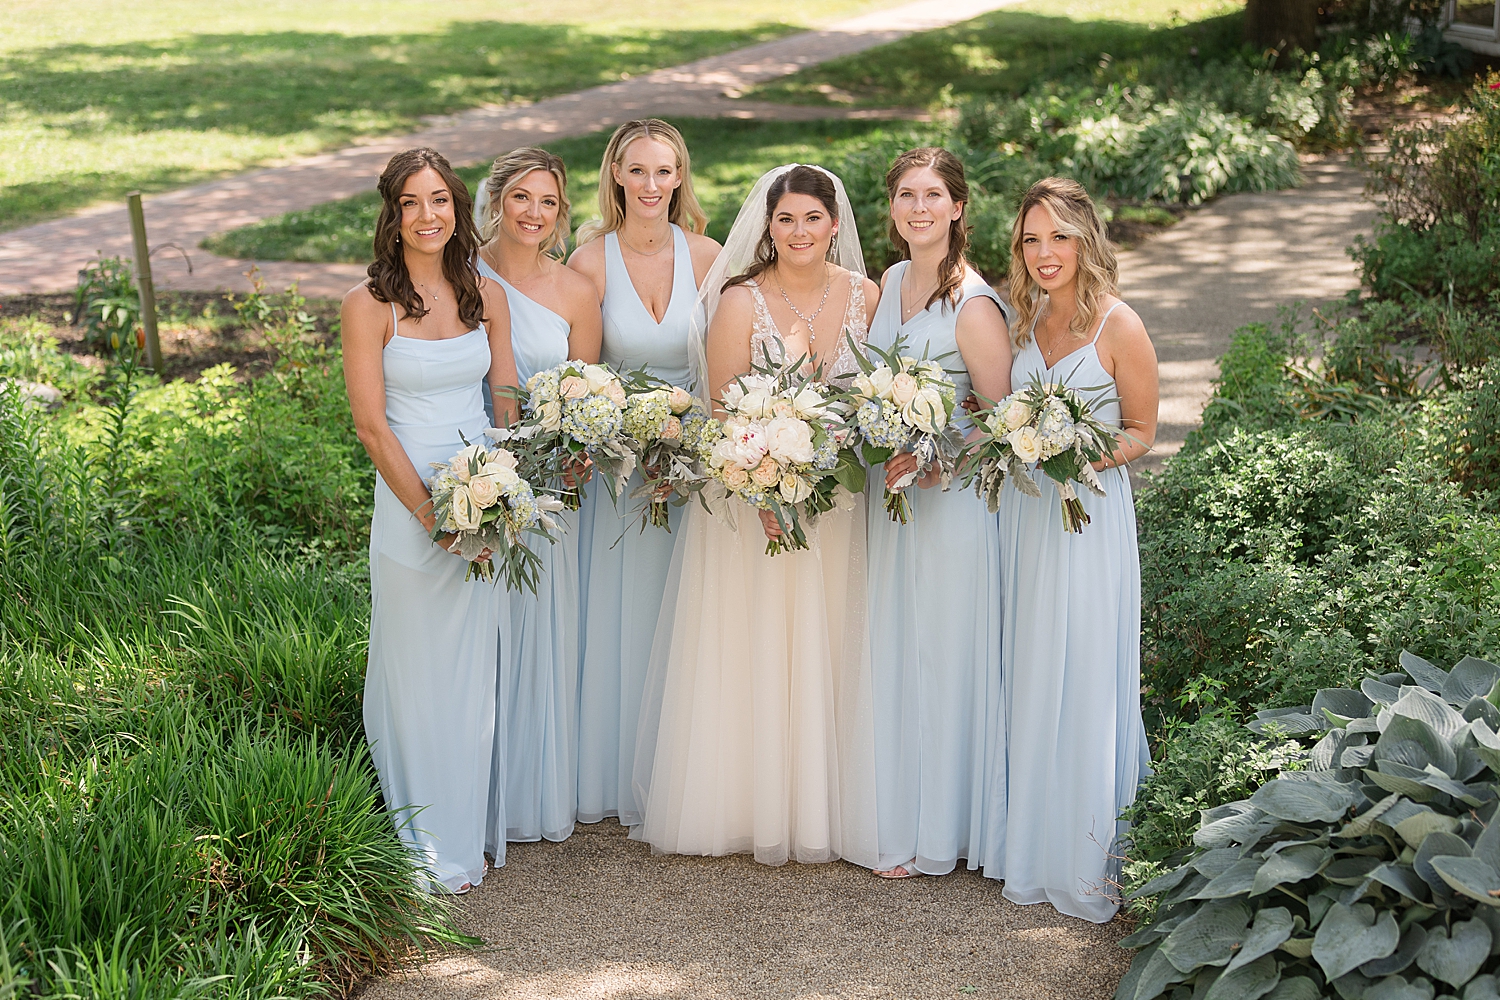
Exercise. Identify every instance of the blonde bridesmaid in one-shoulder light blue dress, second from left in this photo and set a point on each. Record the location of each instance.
(554, 317)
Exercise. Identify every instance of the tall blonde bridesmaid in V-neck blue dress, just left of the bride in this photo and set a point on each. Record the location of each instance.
(647, 269)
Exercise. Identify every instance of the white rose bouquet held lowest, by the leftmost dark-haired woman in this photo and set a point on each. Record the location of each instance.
(481, 497)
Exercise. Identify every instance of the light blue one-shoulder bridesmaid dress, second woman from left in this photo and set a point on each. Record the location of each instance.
(533, 788)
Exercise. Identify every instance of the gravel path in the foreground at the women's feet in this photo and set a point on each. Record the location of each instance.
(601, 917)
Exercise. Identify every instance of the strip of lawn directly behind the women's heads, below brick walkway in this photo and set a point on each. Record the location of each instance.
(728, 157)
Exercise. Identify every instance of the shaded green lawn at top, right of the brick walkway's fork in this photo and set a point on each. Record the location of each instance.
(1013, 49)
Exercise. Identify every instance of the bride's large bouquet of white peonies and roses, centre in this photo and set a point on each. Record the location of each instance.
(785, 449)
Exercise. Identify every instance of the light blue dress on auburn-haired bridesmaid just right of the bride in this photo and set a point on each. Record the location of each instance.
(935, 632)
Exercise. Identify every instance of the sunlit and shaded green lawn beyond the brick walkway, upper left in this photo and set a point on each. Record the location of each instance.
(100, 98)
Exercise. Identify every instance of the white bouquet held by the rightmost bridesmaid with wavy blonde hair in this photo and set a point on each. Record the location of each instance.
(1051, 425)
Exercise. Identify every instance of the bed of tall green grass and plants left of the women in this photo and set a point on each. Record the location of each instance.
(187, 803)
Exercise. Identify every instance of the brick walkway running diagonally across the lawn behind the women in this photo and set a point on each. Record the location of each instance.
(46, 259)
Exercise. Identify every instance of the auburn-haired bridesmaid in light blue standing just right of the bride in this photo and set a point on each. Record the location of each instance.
(935, 591)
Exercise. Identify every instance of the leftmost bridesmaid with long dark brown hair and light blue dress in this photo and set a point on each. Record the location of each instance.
(419, 338)
